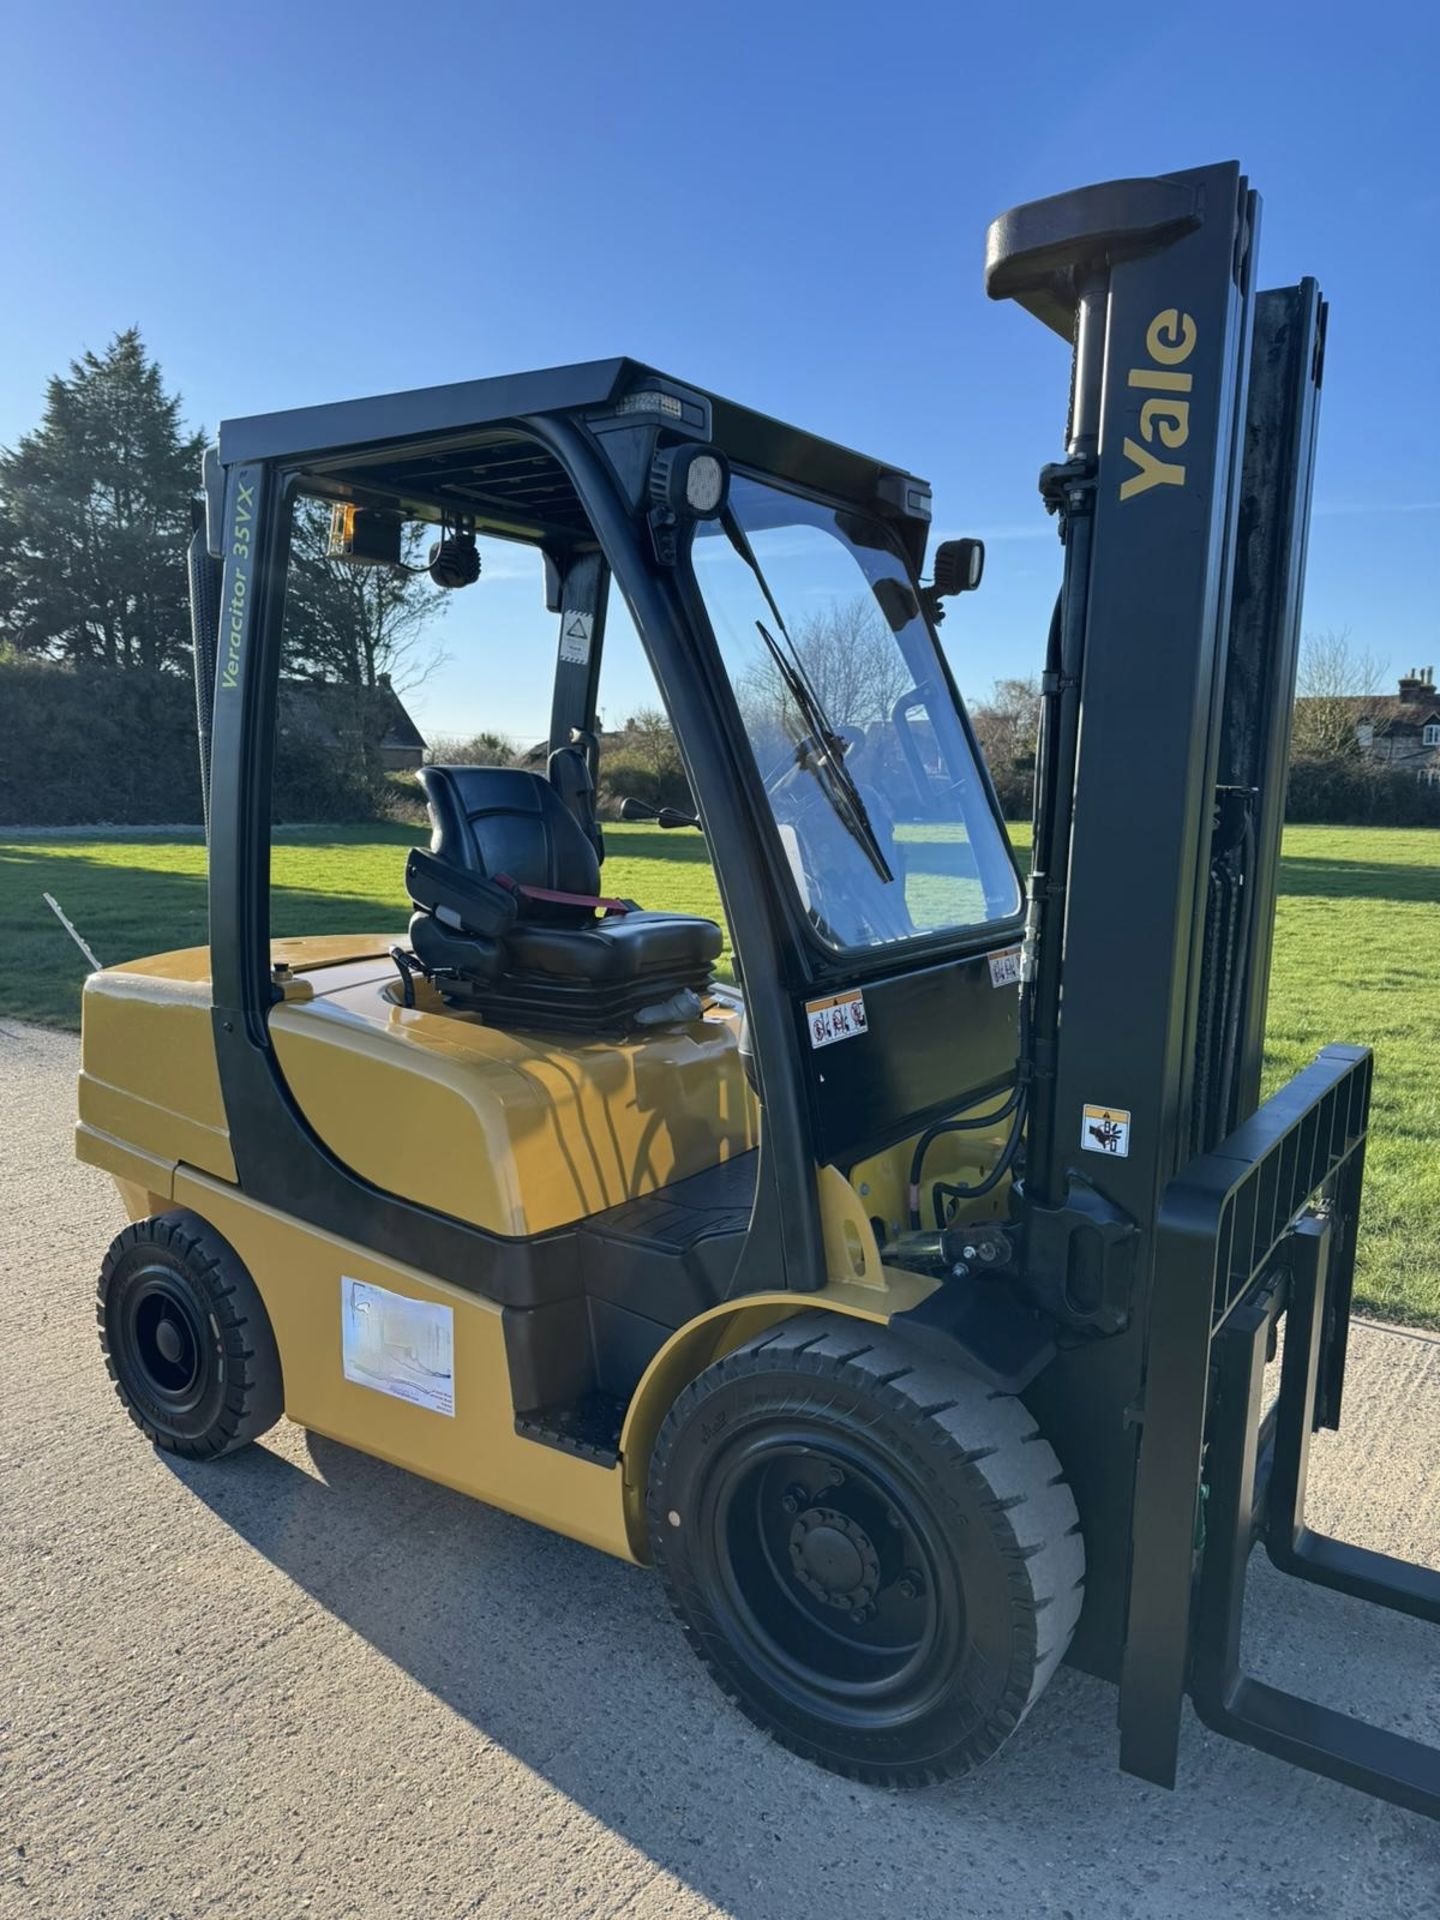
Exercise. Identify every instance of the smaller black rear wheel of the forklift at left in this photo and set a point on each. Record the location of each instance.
(187, 1339)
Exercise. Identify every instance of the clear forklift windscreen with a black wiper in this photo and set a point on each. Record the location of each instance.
(867, 767)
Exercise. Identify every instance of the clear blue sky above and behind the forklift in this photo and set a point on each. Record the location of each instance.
(782, 203)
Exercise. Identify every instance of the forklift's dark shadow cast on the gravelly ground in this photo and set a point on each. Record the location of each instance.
(571, 1662)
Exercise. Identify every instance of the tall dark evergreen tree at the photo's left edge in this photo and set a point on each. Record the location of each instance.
(95, 517)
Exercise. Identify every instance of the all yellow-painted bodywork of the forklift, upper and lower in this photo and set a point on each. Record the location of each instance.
(514, 1132)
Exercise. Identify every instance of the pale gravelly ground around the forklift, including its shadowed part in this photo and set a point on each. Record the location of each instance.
(306, 1685)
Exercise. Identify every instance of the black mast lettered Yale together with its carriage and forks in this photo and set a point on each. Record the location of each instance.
(1163, 1207)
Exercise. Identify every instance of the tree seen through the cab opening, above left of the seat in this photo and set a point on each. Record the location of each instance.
(358, 625)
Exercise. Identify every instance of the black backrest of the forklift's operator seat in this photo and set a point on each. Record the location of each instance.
(508, 821)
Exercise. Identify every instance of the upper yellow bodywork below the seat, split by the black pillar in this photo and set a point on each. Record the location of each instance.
(512, 1132)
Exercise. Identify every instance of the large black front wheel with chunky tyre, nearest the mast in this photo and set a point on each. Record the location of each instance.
(876, 1558)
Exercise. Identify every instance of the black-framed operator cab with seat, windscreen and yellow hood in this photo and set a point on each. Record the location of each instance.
(583, 1122)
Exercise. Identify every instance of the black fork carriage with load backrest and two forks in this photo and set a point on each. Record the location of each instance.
(1241, 1259)
